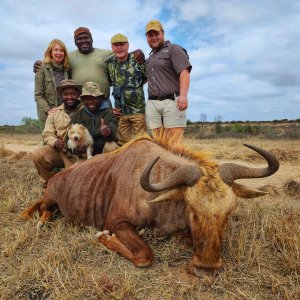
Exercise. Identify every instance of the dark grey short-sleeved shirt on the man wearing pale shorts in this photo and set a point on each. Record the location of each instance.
(163, 68)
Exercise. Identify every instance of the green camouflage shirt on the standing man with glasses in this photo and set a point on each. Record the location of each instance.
(130, 77)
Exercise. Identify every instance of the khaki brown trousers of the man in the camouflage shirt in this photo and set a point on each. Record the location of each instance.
(130, 125)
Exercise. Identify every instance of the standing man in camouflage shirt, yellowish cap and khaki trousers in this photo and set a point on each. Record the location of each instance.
(127, 79)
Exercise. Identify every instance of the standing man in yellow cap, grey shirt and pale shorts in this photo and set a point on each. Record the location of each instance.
(168, 73)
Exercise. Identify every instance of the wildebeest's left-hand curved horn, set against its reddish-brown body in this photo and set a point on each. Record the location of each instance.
(185, 175)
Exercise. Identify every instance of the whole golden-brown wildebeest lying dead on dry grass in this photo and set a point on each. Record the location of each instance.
(150, 183)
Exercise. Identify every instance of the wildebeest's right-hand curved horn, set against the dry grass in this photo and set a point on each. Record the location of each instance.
(230, 172)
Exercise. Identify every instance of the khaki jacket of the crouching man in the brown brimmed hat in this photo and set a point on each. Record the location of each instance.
(57, 124)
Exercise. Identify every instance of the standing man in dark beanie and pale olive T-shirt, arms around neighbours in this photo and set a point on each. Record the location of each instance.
(90, 64)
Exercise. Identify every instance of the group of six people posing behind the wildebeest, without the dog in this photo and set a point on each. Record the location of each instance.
(75, 88)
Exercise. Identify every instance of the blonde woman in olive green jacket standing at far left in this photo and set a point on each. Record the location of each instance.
(54, 70)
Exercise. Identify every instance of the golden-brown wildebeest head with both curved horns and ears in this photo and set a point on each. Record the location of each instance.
(210, 195)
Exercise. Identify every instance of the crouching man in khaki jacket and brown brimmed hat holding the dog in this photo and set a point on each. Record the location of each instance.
(54, 154)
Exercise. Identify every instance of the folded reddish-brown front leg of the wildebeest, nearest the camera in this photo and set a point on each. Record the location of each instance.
(128, 243)
